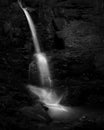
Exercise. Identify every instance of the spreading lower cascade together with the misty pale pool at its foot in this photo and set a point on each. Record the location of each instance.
(51, 100)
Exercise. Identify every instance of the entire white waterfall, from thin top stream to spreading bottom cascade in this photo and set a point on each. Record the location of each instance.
(46, 95)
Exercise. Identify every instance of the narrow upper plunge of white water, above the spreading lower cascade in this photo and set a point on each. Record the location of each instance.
(41, 58)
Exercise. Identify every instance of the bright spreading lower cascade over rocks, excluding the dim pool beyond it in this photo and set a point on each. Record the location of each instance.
(50, 100)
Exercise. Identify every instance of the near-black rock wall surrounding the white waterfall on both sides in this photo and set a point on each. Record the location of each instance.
(71, 34)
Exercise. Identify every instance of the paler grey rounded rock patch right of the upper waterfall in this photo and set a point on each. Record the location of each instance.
(79, 34)
